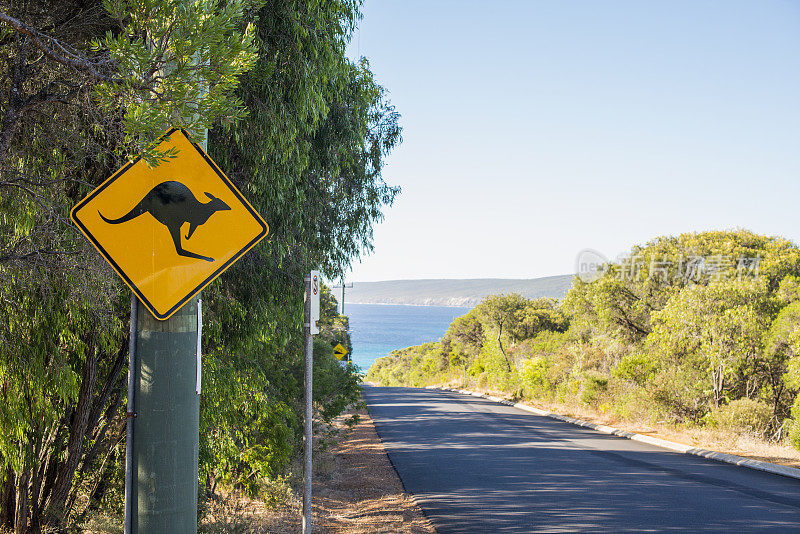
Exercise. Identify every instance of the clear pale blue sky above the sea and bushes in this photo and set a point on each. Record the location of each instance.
(535, 129)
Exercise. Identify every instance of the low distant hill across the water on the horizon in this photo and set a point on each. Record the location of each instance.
(448, 292)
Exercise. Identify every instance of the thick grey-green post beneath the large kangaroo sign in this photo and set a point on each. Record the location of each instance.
(166, 429)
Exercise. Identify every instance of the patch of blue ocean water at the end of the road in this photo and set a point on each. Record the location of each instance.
(378, 329)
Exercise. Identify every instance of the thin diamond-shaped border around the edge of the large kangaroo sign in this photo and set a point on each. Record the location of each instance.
(215, 274)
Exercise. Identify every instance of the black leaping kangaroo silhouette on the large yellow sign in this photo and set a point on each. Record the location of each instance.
(173, 204)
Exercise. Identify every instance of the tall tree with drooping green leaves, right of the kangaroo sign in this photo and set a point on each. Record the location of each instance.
(310, 158)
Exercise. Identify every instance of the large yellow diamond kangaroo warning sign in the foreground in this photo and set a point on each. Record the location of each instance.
(169, 231)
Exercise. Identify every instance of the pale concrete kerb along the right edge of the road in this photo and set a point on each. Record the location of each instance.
(758, 465)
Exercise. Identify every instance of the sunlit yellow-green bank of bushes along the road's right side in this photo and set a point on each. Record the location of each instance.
(663, 342)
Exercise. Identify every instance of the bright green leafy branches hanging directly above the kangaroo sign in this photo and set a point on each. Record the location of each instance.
(179, 63)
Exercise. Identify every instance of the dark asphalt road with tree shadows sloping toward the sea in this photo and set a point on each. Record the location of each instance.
(476, 466)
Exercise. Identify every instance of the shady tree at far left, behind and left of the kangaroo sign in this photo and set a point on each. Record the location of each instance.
(85, 85)
